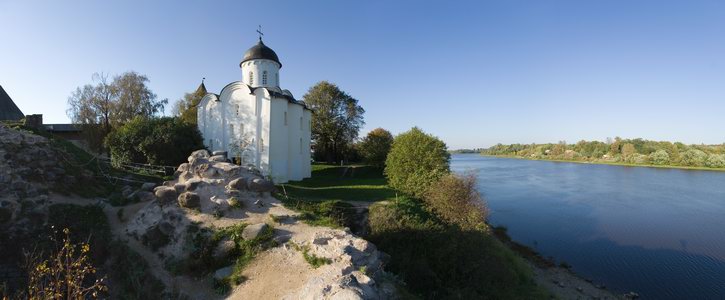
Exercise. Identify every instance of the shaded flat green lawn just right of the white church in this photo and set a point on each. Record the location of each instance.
(359, 183)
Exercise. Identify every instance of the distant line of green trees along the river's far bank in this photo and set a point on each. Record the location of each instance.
(630, 151)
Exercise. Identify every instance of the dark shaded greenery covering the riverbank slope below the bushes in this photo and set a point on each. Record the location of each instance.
(438, 261)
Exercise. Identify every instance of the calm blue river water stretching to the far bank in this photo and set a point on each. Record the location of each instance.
(659, 232)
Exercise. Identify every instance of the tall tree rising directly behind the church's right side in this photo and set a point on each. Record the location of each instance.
(336, 121)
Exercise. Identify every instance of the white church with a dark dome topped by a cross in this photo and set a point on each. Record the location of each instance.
(257, 122)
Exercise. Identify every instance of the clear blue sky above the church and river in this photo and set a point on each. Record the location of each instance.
(473, 73)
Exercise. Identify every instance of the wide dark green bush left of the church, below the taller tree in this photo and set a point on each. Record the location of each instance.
(159, 141)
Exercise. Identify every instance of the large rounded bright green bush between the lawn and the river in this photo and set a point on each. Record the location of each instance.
(416, 160)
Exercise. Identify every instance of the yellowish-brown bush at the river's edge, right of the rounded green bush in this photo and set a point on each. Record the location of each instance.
(455, 199)
